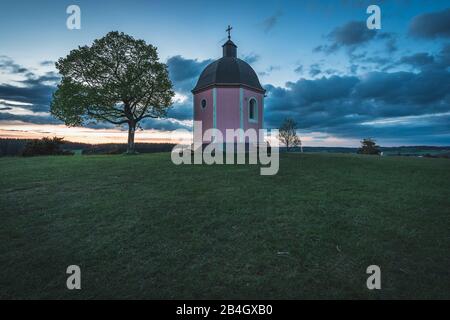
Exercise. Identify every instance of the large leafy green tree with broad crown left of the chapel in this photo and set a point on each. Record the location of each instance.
(118, 80)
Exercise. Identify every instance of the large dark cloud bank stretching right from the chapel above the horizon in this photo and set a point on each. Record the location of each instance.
(347, 106)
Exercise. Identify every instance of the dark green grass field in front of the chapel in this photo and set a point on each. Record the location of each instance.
(141, 227)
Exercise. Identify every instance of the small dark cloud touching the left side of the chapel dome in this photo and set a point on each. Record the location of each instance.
(185, 72)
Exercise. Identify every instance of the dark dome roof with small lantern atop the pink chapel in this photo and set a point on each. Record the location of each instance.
(228, 70)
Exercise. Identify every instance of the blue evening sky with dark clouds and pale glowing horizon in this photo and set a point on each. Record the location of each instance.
(318, 61)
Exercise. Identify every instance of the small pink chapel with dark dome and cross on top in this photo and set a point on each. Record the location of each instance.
(228, 94)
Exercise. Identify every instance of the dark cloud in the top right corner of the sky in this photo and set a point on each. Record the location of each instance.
(431, 25)
